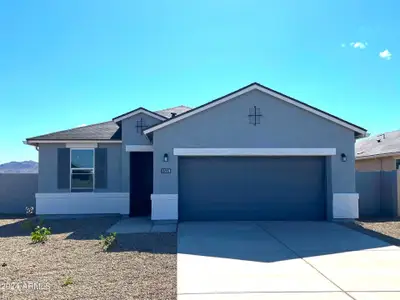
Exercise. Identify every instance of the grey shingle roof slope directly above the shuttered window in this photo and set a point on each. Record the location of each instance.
(106, 131)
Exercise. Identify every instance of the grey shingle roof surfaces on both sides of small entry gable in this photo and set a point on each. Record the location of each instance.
(101, 131)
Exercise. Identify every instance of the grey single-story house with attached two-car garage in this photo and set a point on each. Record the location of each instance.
(254, 154)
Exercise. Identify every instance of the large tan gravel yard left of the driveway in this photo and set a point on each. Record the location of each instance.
(140, 266)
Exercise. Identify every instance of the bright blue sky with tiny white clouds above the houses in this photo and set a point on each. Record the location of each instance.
(67, 63)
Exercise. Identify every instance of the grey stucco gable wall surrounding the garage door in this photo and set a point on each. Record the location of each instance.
(282, 126)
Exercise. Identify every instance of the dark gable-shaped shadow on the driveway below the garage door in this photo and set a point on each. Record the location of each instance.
(271, 241)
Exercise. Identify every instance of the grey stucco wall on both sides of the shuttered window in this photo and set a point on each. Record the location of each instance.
(47, 181)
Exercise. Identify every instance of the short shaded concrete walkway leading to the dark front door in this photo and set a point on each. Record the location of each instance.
(142, 225)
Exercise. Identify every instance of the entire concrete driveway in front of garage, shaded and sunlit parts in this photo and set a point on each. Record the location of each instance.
(284, 260)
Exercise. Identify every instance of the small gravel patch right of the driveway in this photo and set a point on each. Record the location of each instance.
(387, 230)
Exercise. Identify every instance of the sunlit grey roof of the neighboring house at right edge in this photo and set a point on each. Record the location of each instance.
(388, 145)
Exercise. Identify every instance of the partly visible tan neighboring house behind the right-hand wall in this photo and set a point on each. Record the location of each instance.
(379, 153)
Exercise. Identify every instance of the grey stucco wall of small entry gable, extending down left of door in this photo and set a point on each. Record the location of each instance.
(130, 136)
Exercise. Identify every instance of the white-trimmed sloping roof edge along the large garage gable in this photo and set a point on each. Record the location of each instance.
(256, 86)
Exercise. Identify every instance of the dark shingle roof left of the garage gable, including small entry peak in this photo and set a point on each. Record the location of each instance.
(105, 131)
